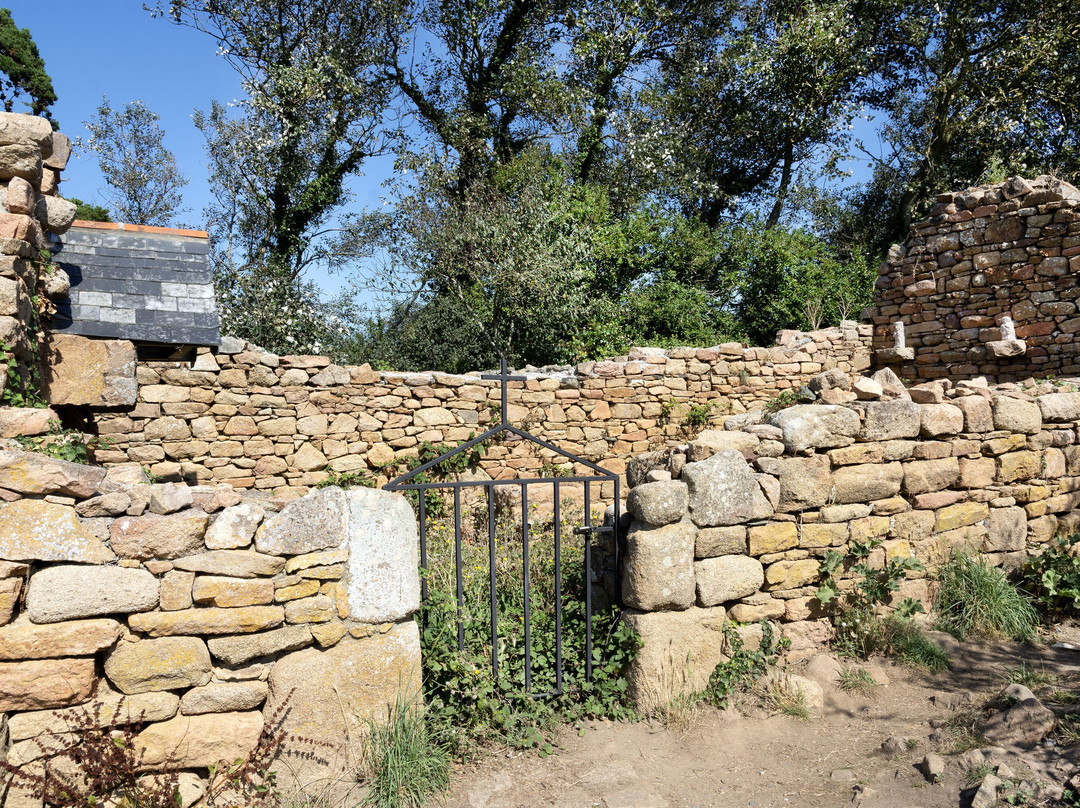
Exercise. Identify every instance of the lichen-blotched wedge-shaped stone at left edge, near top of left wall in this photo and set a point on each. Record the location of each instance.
(33, 530)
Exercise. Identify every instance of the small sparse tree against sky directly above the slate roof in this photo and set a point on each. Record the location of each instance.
(141, 171)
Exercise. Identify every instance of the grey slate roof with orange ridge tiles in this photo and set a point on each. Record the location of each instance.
(148, 285)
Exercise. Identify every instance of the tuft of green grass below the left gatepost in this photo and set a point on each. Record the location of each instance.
(403, 763)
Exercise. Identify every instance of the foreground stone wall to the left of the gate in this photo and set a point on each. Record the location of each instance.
(205, 615)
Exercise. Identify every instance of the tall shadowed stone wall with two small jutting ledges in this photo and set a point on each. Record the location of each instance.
(988, 253)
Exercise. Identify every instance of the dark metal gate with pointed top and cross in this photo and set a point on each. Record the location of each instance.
(587, 532)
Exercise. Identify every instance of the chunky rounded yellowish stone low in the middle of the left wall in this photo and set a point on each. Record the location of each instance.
(170, 664)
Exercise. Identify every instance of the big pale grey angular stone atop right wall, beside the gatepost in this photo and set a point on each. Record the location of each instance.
(724, 491)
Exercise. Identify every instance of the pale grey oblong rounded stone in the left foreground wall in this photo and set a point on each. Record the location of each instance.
(72, 592)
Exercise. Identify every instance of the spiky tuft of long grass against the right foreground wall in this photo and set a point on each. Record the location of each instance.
(975, 598)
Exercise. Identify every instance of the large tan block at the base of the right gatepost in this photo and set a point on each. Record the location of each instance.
(680, 652)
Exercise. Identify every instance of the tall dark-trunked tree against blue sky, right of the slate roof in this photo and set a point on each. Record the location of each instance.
(312, 116)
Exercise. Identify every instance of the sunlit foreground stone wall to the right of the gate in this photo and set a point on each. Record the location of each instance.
(735, 524)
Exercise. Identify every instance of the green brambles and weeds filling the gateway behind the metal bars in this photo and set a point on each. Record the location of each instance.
(467, 704)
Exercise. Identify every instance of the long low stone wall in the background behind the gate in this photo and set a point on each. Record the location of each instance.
(255, 420)
